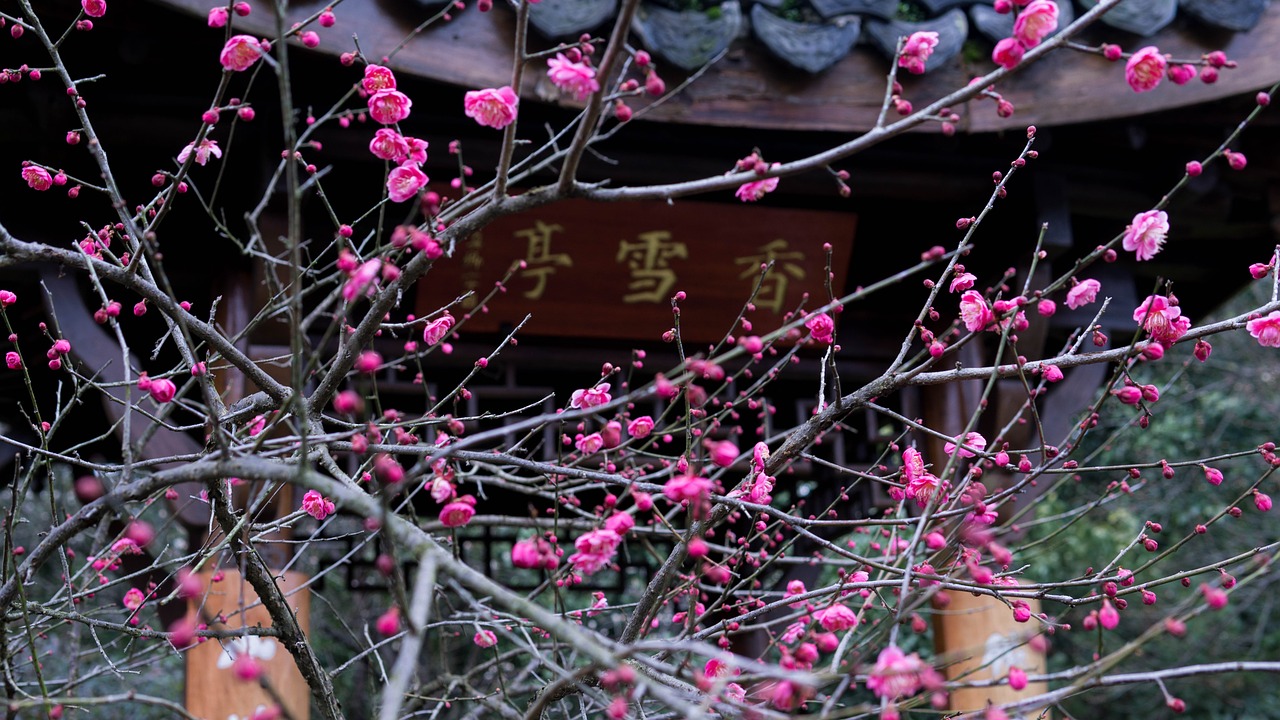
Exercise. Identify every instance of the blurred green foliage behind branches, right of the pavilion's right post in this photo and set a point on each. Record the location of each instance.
(1205, 411)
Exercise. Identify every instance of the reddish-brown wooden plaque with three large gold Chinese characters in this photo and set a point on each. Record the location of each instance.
(610, 271)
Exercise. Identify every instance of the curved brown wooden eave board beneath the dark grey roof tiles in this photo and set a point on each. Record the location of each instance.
(749, 89)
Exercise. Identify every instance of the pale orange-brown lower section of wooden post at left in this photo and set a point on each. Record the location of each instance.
(213, 690)
